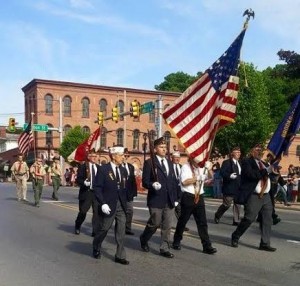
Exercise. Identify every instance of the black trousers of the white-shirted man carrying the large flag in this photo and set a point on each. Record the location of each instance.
(188, 208)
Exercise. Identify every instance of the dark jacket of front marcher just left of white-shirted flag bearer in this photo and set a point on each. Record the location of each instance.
(168, 192)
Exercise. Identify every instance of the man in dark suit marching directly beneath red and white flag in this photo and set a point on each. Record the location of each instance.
(85, 180)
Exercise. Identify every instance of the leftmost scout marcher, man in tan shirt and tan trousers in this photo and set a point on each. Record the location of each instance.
(20, 172)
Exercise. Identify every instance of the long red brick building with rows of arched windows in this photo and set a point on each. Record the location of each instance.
(67, 104)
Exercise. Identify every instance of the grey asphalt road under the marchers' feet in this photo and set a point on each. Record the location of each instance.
(38, 247)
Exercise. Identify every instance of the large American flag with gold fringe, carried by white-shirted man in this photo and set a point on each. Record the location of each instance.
(207, 105)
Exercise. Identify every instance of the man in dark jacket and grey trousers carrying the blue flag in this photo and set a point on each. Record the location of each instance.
(254, 193)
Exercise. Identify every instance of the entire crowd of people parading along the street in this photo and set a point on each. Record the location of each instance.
(172, 187)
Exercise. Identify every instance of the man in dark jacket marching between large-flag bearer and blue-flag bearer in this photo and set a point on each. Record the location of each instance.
(231, 174)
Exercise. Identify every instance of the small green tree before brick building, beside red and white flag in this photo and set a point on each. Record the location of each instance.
(73, 138)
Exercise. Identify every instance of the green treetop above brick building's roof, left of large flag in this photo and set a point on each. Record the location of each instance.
(177, 82)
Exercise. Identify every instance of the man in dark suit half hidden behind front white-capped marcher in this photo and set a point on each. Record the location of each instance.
(131, 191)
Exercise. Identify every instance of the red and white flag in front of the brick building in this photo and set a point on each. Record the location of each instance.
(93, 142)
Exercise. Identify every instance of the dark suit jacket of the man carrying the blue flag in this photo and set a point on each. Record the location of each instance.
(251, 175)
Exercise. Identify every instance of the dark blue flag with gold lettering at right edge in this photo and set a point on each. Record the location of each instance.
(286, 130)
